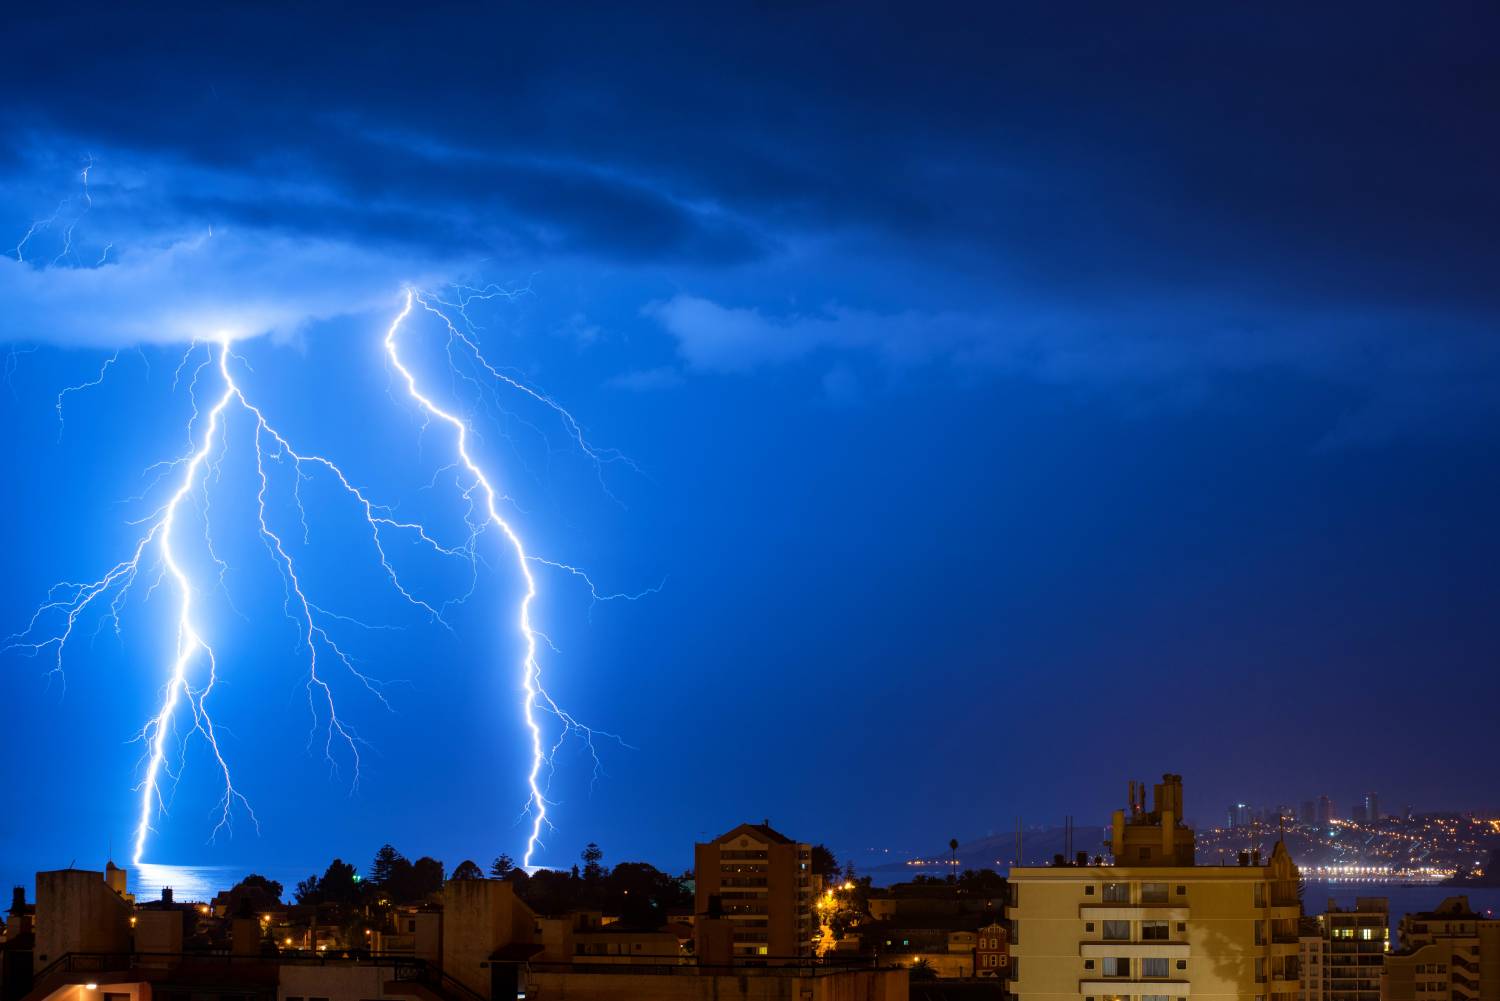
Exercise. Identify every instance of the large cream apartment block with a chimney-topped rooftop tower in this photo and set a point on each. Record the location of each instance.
(1156, 927)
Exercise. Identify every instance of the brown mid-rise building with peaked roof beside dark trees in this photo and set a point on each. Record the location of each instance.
(761, 883)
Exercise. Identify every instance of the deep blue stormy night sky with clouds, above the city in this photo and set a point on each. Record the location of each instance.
(1024, 403)
